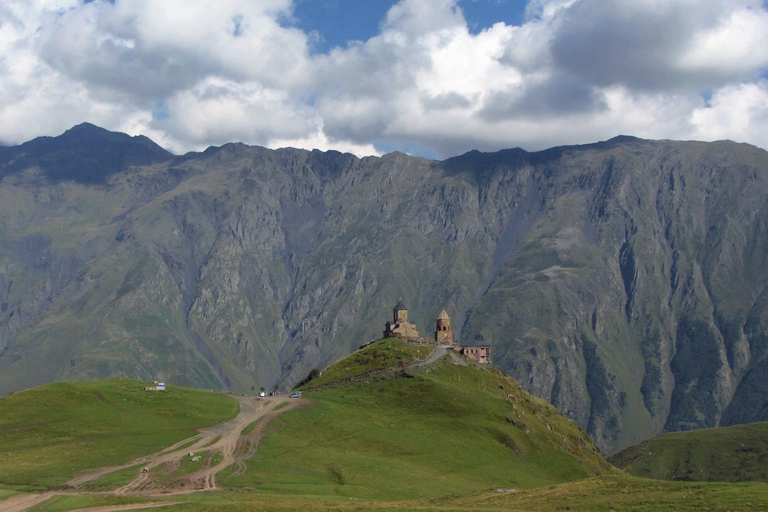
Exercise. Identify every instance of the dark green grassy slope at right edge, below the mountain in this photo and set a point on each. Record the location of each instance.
(733, 454)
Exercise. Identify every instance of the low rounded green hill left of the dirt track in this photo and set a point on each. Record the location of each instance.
(51, 433)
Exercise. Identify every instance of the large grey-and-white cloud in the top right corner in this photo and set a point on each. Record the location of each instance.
(659, 45)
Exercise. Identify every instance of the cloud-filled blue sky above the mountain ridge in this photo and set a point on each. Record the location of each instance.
(433, 78)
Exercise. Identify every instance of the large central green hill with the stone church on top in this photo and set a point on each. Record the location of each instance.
(441, 430)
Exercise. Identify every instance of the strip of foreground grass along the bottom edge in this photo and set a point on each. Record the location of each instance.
(601, 494)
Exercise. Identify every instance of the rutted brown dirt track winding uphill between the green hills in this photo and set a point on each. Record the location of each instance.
(225, 441)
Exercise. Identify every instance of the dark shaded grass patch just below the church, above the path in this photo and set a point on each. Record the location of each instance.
(380, 355)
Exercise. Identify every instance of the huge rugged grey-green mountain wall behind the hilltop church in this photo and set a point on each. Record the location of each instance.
(623, 281)
